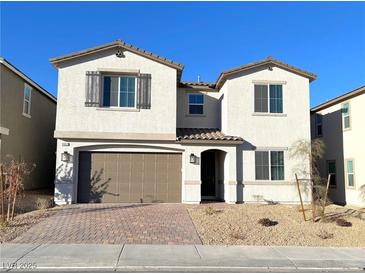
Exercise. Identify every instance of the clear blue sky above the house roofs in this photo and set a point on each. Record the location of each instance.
(327, 38)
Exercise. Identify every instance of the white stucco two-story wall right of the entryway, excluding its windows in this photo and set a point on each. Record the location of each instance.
(267, 131)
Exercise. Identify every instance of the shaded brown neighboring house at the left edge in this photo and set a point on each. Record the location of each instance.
(27, 123)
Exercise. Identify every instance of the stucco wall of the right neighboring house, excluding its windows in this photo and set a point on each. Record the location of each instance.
(345, 144)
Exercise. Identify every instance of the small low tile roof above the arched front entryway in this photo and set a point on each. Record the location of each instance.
(205, 134)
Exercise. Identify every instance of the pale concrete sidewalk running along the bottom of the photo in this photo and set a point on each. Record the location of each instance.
(186, 258)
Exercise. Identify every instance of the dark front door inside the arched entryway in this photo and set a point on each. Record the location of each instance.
(208, 174)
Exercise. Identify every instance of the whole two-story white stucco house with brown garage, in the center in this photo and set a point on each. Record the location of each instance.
(129, 130)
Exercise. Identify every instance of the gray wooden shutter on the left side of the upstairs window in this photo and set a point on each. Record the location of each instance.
(93, 89)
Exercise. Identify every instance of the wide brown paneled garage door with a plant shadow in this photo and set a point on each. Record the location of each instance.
(129, 177)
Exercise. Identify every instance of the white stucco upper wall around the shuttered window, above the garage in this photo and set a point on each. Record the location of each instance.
(72, 115)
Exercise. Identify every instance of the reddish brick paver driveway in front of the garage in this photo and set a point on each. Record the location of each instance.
(115, 224)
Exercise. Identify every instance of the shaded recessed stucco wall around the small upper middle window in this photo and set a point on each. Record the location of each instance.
(211, 116)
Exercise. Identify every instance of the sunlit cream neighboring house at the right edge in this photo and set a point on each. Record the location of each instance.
(340, 123)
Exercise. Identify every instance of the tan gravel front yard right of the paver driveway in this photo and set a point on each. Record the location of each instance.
(238, 225)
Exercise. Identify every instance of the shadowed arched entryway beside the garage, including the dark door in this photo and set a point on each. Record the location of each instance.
(212, 175)
